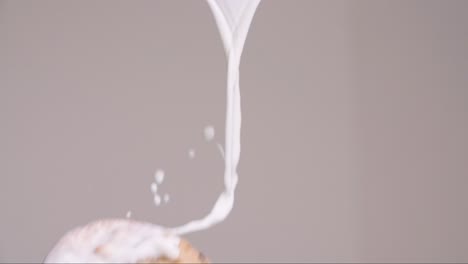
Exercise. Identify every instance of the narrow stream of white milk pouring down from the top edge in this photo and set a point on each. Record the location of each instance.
(233, 18)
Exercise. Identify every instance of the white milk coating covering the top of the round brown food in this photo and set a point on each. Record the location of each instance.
(115, 241)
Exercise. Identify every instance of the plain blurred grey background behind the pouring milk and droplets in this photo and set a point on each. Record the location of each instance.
(354, 140)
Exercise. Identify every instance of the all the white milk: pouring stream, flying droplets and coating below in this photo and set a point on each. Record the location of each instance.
(126, 241)
